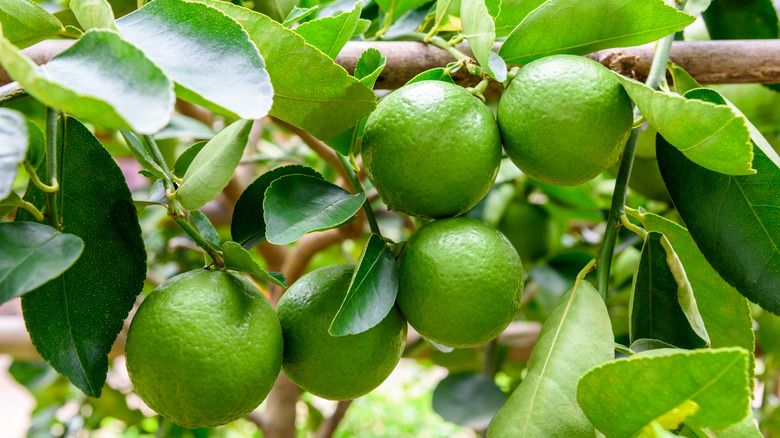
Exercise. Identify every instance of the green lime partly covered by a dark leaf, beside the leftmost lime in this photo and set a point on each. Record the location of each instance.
(334, 367)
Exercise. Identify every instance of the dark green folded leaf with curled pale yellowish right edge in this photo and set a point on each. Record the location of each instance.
(660, 307)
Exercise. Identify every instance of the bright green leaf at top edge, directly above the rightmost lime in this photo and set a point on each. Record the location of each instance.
(580, 27)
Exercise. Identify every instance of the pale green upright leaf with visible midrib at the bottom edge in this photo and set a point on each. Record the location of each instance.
(579, 326)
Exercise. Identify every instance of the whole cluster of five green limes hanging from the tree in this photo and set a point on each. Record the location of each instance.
(206, 346)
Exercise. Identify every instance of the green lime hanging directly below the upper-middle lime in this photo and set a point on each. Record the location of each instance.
(460, 282)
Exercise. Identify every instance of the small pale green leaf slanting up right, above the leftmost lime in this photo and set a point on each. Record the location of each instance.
(211, 170)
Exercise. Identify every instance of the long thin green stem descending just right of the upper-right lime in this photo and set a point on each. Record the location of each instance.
(618, 208)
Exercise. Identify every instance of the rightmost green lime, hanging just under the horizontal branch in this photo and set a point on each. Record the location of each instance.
(564, 119)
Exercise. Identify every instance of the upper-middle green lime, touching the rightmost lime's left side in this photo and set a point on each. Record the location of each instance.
(431, 149)
